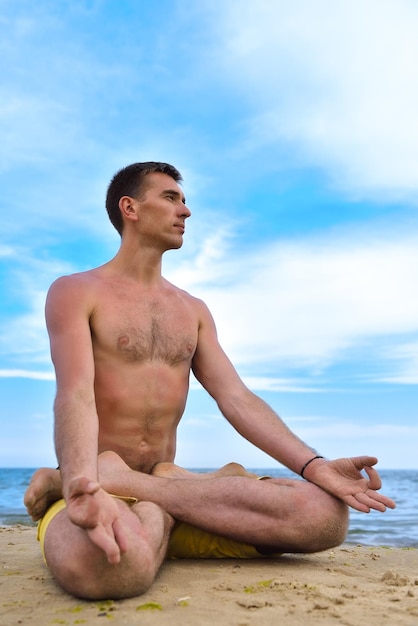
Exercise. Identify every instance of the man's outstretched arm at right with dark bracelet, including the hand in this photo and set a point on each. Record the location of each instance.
(256, 421)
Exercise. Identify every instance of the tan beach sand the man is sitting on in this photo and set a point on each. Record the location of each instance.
(350, 585)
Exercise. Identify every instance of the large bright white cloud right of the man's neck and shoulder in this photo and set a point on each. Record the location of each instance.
(308, 301)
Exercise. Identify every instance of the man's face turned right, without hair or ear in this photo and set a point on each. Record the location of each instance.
(162, 212)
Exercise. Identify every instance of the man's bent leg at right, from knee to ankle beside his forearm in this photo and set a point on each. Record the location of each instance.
(277, 515)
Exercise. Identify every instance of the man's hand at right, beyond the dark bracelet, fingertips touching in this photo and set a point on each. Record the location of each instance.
(343, 478)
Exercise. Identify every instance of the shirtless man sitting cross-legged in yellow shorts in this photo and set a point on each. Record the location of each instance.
(123, 343)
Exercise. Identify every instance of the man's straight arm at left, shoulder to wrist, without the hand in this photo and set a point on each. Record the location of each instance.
(68, 311)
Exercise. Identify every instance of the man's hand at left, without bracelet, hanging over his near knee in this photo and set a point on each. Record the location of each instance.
(93, 509)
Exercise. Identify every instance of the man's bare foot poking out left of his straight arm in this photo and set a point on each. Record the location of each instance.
(44, 489)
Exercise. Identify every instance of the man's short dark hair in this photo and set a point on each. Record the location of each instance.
(129, 181)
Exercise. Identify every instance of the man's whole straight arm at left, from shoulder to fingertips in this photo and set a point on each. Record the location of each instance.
(69, 308)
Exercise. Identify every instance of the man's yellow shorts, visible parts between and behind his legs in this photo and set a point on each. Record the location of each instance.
(186, 542)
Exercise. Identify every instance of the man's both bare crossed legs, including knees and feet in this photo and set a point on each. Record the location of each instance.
(275, 515)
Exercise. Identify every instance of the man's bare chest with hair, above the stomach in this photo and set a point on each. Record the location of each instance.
(147, 330)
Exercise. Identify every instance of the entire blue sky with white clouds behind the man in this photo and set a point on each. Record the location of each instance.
(294, 126)
